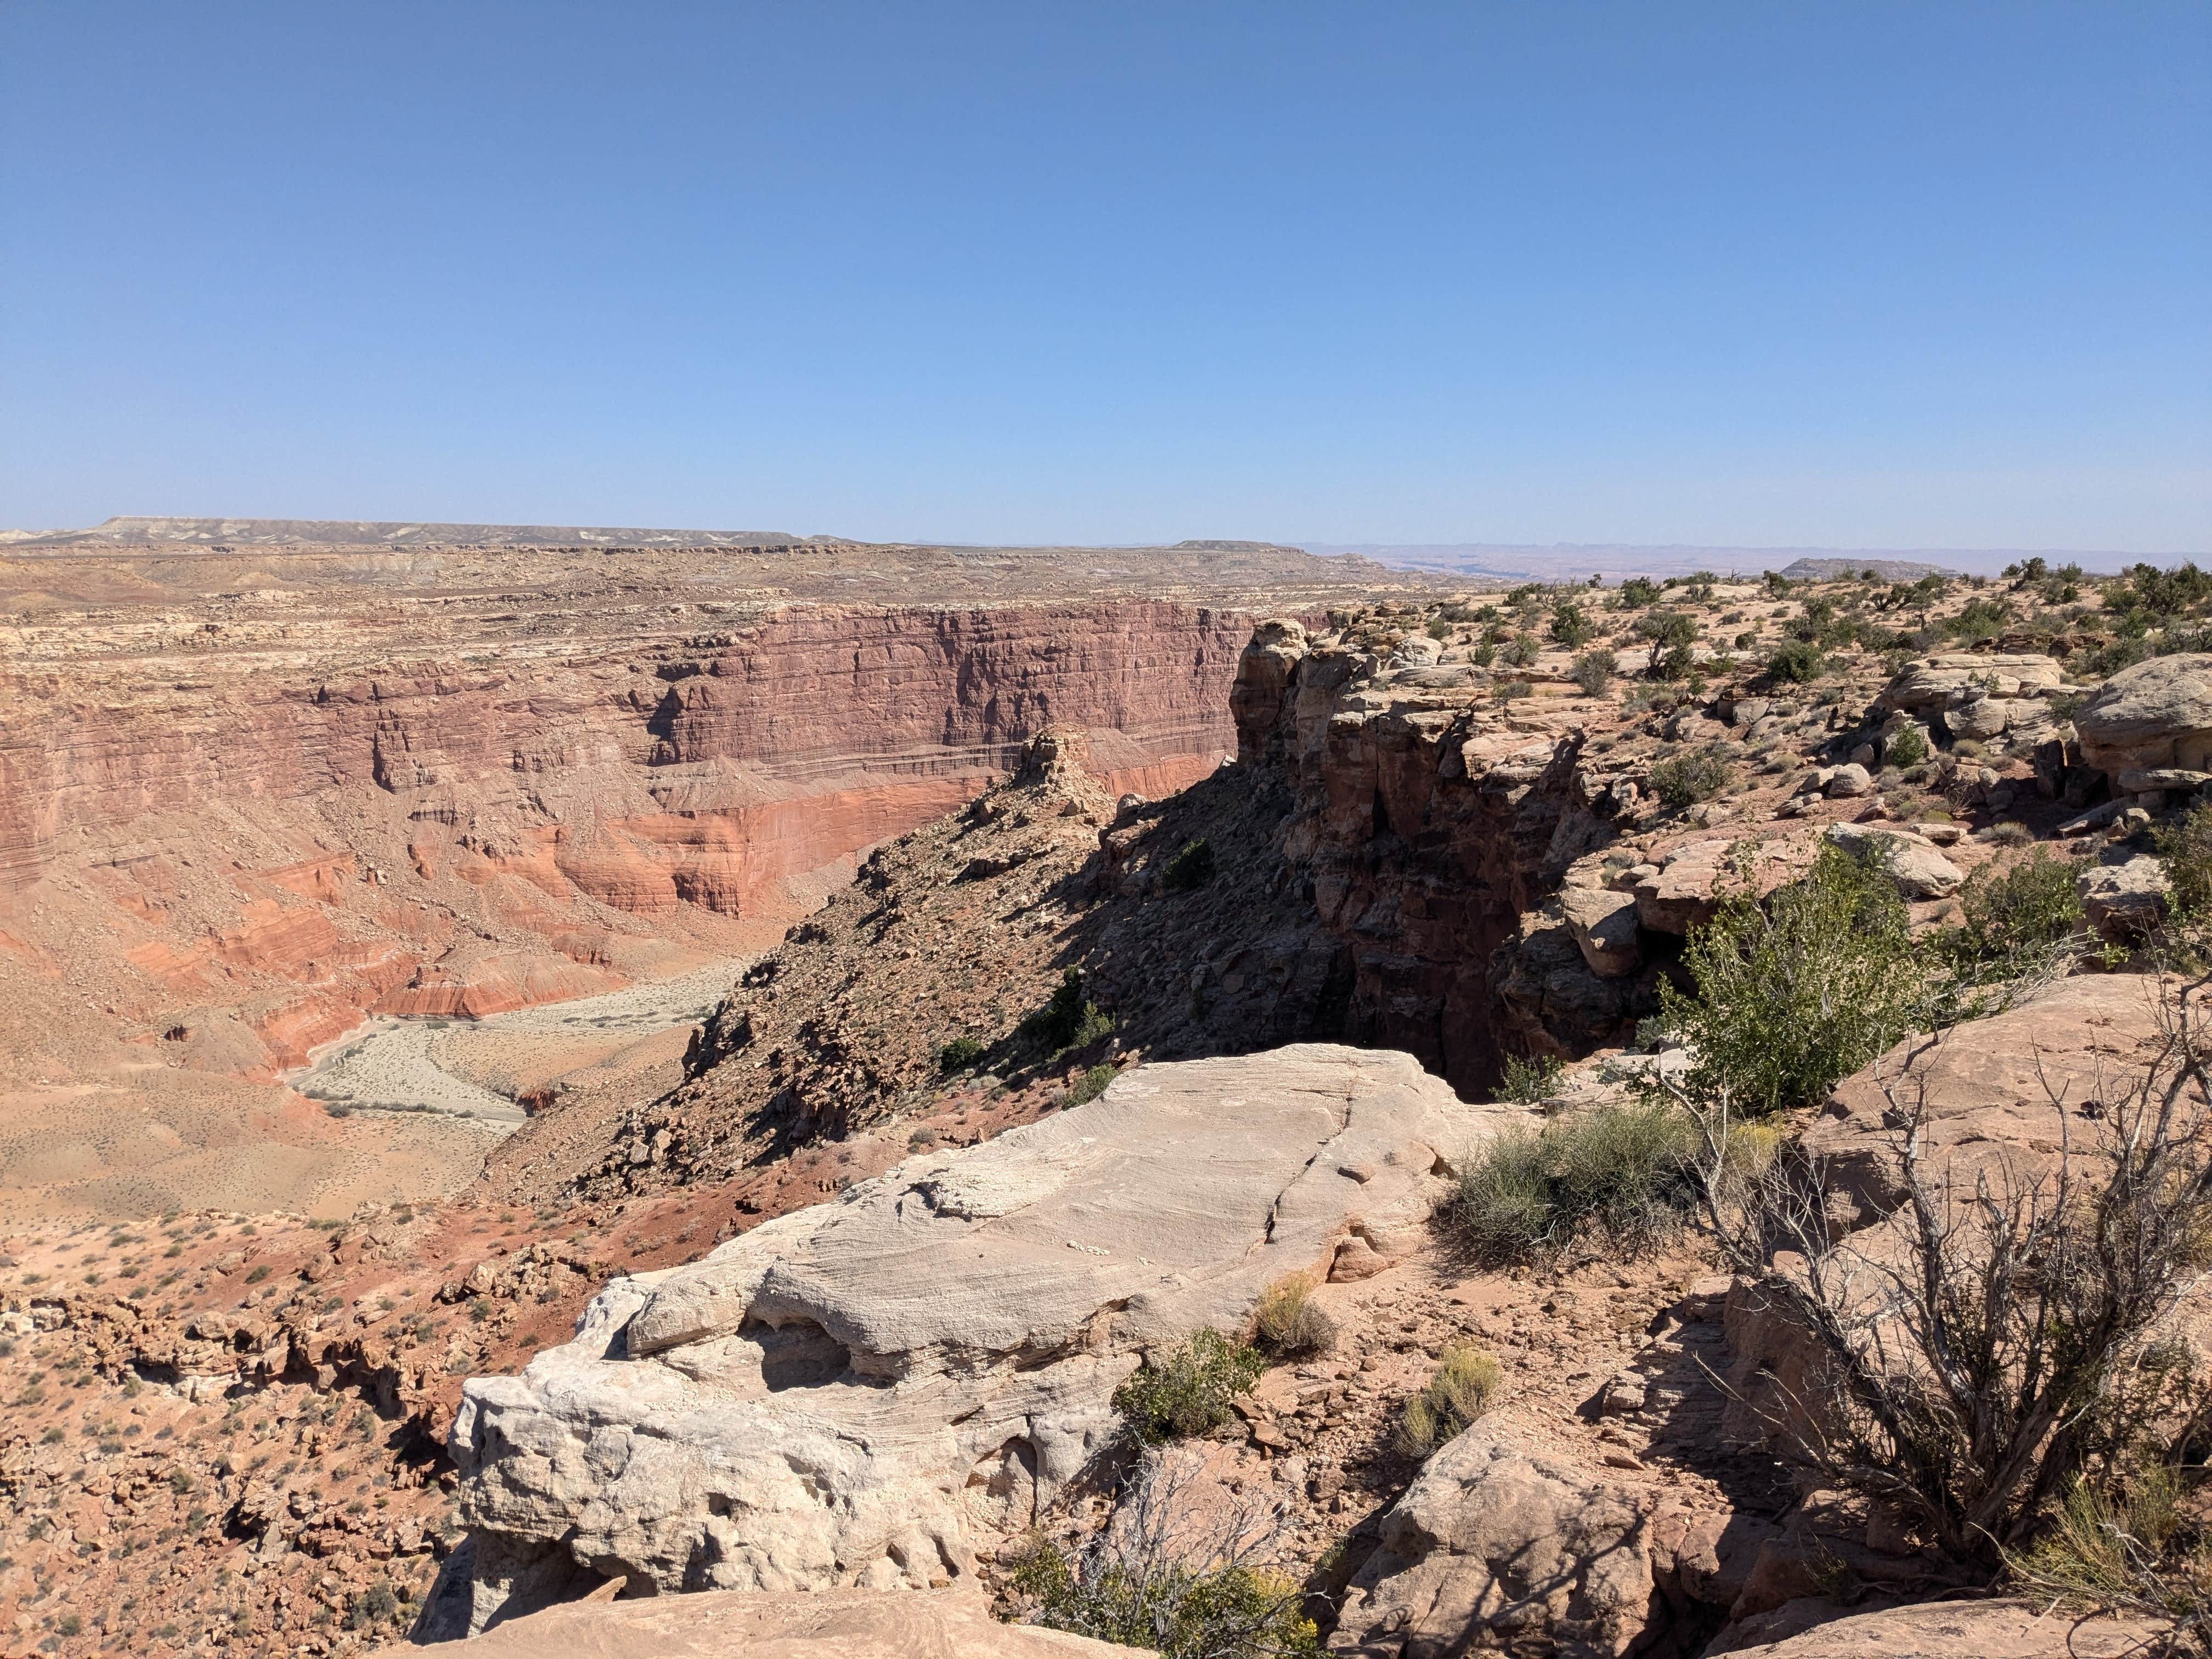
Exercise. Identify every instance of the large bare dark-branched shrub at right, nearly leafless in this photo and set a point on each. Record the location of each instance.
(2001, 1333)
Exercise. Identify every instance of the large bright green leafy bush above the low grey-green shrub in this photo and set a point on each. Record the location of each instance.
(1802, 992)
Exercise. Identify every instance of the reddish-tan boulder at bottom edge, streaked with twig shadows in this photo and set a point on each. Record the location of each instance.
(1499, 1545)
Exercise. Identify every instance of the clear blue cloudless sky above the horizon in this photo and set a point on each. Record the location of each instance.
(1859, 275)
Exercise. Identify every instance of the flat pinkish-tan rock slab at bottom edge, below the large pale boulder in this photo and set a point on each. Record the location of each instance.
(822, 1625)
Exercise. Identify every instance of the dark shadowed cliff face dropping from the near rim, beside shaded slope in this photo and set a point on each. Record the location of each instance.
(1430, 822)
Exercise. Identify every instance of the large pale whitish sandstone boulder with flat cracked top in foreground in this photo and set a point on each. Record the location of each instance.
(851, 1395)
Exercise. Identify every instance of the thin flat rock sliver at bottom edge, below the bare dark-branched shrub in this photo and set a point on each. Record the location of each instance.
(1937, 1631)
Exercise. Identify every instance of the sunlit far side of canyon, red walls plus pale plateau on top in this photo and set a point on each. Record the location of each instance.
(255, 791)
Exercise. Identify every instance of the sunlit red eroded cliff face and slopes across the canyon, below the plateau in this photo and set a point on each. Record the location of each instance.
(218, 857)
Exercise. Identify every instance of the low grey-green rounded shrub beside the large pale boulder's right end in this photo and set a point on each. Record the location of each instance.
(1611, 1171)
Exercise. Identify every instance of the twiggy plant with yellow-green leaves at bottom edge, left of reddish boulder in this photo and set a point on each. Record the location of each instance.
(1162, 1580)
